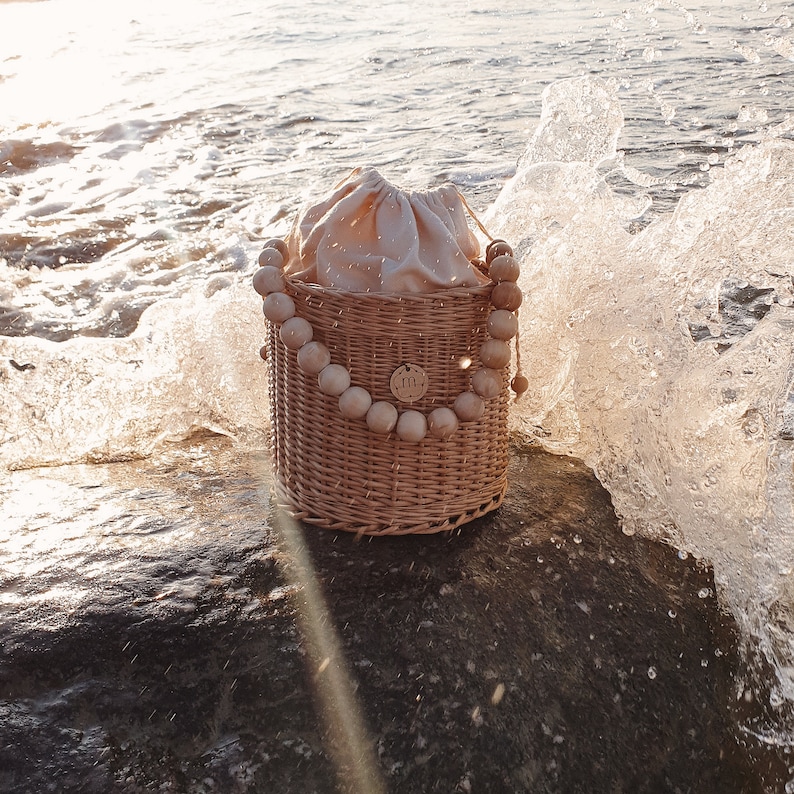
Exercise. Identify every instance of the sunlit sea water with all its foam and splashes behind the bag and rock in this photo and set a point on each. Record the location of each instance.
(637, 154)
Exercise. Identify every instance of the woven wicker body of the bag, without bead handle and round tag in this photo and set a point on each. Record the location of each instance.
(334, 472)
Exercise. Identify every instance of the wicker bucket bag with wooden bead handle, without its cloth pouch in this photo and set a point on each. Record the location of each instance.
(380, 422)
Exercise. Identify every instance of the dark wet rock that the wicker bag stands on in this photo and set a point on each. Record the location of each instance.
(536, 650)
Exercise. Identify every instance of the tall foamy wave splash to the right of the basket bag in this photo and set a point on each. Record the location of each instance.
(665, 360)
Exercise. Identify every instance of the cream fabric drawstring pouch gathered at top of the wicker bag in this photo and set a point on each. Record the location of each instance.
(370, 236)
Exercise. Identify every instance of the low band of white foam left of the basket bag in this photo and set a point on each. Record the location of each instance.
(191, 365)
